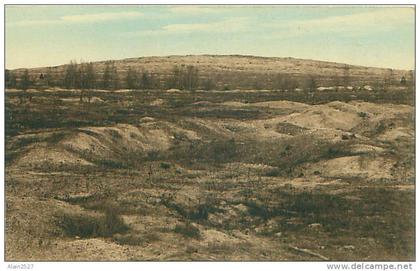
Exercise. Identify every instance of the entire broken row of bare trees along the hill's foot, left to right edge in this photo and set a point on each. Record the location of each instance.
(86, 76)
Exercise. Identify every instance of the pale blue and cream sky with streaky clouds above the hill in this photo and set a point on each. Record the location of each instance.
(52, 35)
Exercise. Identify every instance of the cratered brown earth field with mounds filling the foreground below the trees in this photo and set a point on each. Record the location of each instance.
(233, 175)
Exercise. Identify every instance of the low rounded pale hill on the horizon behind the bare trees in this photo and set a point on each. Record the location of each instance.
(242, 72)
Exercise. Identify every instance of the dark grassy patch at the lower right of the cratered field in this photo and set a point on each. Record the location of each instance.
(365, 213)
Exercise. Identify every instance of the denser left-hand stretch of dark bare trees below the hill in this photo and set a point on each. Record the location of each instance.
(85, 76)
